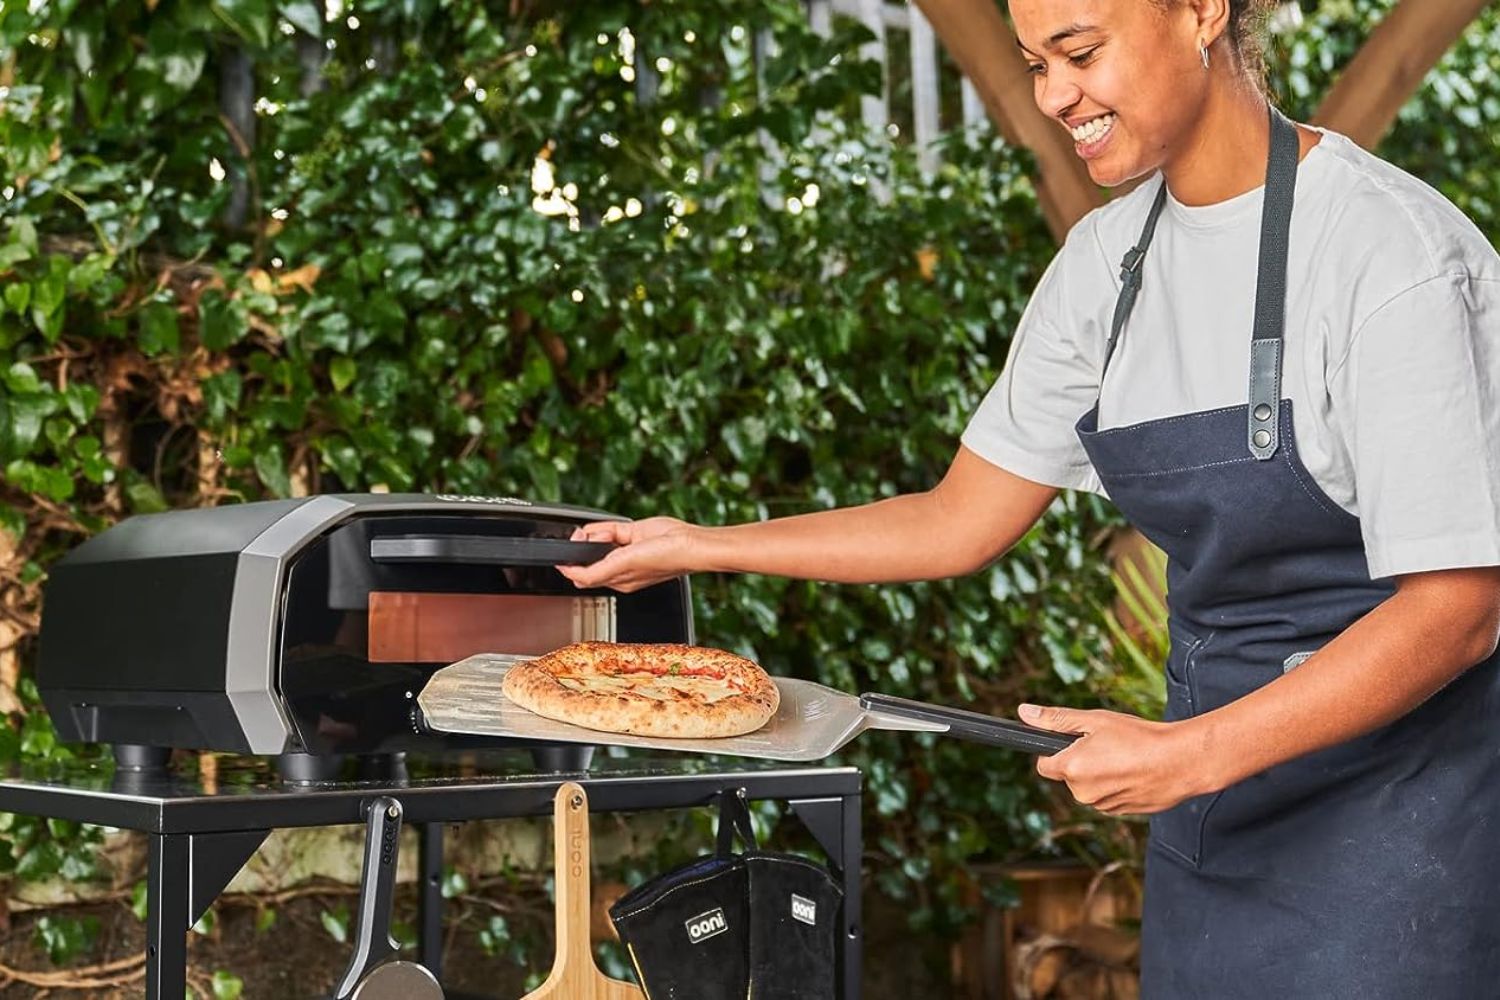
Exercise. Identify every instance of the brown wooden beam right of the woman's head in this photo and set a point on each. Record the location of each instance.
(1391, 65)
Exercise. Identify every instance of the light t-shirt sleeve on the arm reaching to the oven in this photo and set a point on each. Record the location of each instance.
(1025, 425)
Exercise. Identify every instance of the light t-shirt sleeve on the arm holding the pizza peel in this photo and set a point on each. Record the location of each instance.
(1421, 391)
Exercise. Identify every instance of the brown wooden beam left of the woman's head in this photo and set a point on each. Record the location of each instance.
(985, 49)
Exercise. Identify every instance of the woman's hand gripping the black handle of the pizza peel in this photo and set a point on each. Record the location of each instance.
(1123, 764)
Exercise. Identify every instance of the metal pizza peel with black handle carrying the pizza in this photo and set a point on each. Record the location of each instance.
(812, 722)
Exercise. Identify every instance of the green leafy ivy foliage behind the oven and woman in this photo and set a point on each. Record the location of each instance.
(458, 253)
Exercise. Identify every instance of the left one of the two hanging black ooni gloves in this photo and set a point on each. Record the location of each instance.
(689, 930)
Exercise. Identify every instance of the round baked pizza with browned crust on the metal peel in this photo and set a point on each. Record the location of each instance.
(647, 689)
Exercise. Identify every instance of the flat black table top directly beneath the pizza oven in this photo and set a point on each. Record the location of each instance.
(245, 794)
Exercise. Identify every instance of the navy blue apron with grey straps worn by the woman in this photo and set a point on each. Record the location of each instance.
(1366, 872)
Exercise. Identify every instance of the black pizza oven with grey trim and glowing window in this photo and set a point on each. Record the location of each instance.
(310, 626)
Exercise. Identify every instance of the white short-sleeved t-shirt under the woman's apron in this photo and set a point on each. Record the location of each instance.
(1391, 362)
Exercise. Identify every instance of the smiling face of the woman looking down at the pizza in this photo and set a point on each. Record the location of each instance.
(1123, 76)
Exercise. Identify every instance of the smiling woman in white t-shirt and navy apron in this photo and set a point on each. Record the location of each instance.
(1304, 416)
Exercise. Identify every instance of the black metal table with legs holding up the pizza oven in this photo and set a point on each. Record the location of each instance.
(203, 833)
